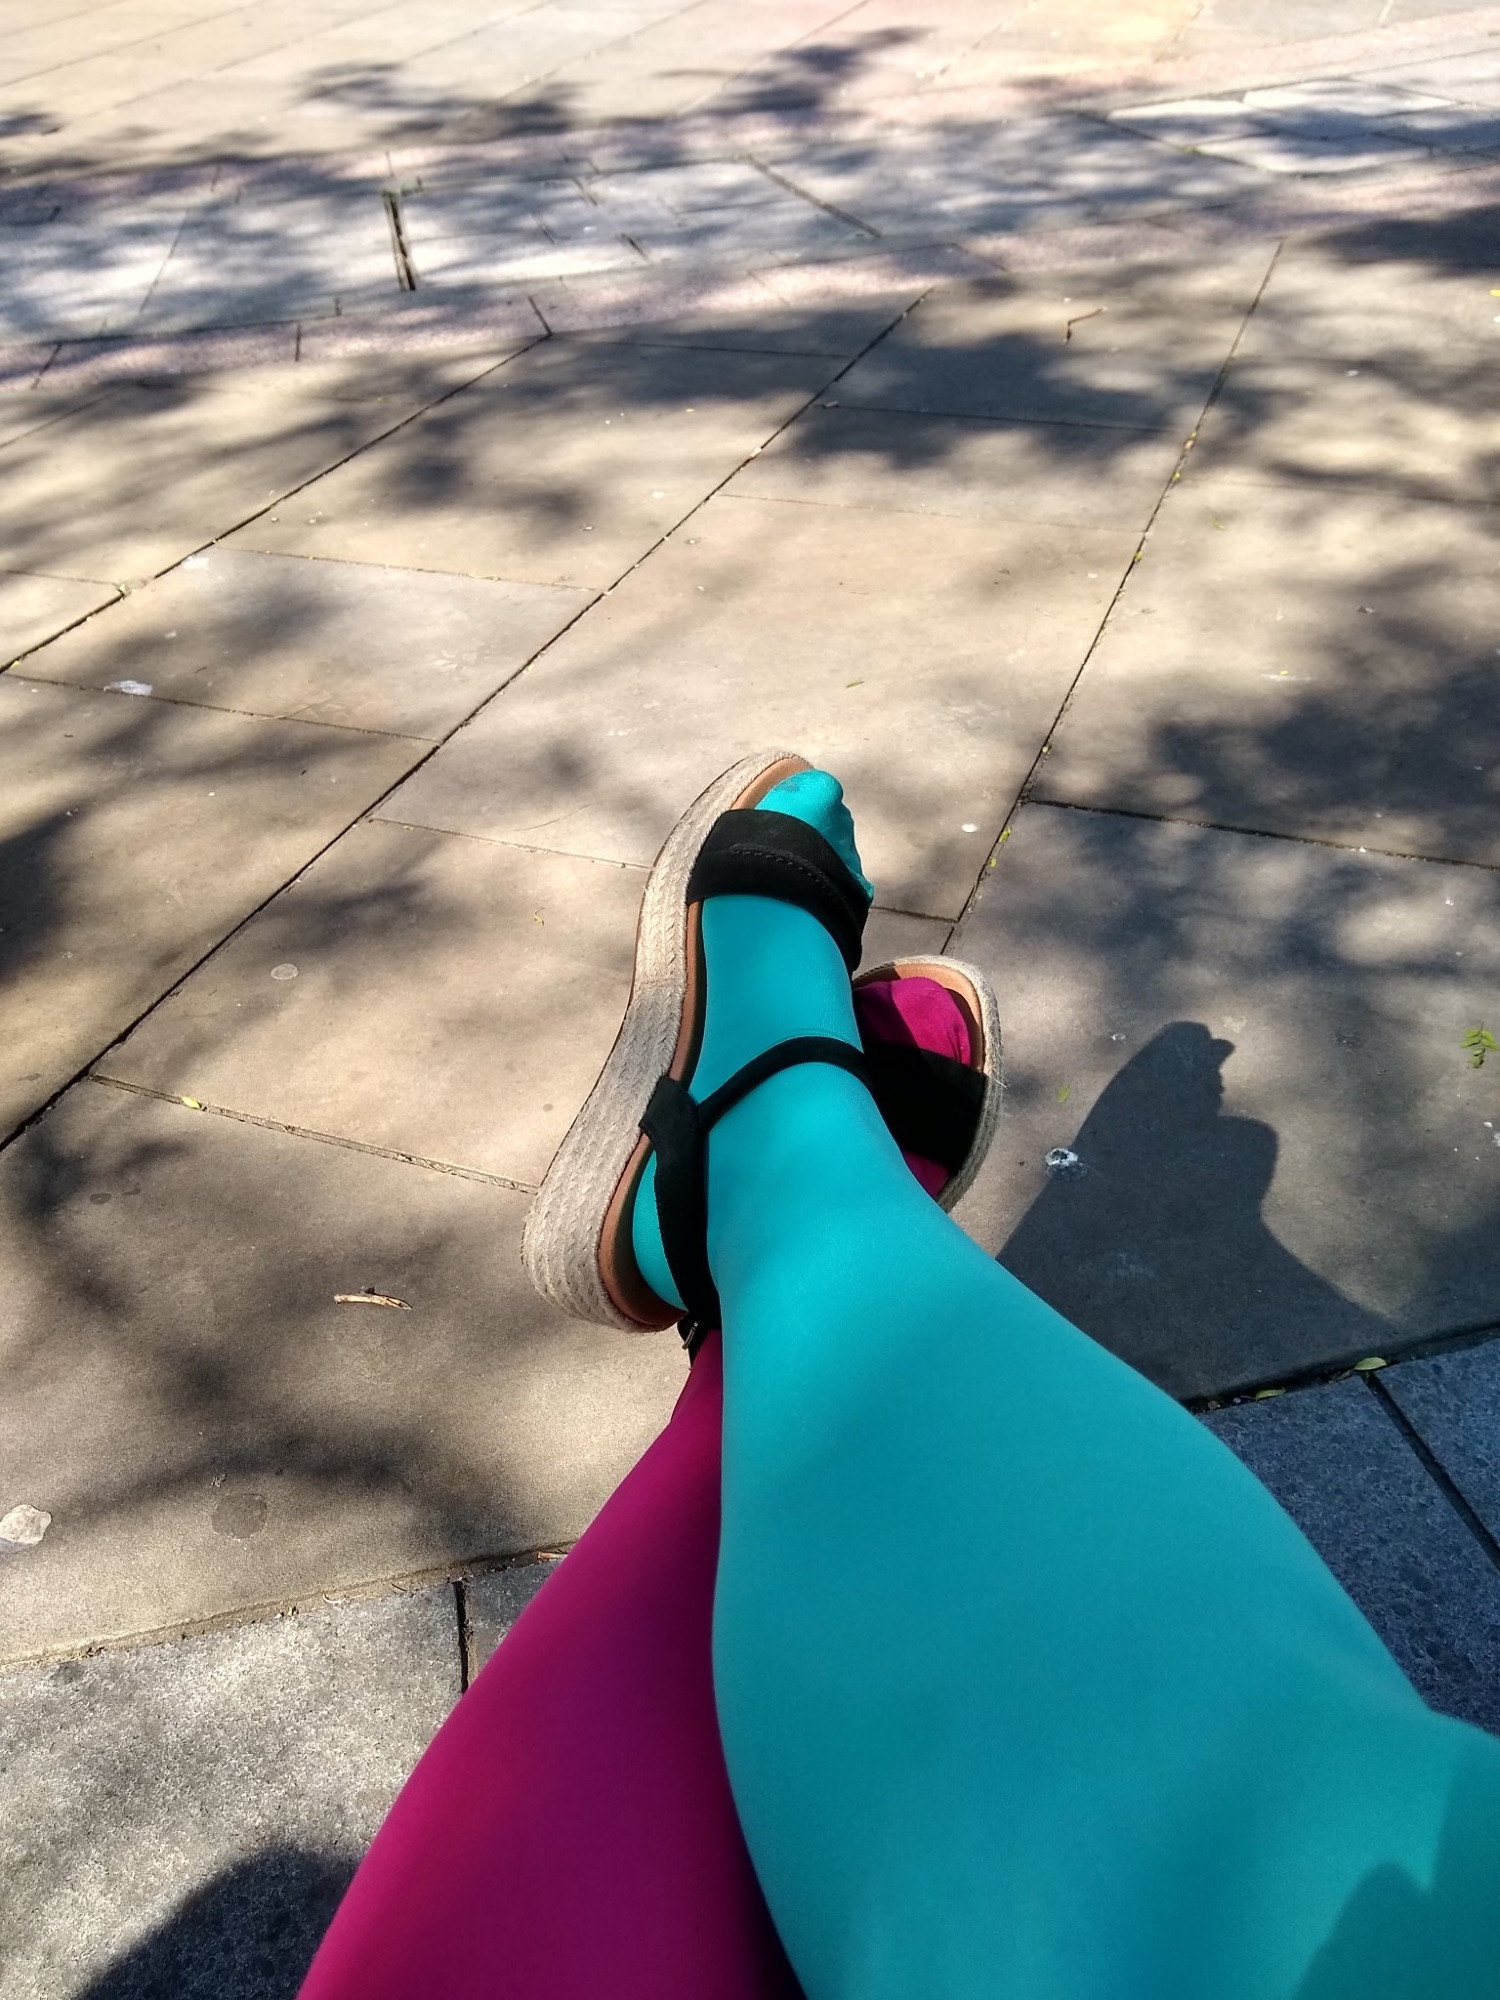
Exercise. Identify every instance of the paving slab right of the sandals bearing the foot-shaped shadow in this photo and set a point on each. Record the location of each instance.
(1241, 1133)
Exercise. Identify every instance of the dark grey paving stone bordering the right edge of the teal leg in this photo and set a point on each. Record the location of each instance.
(1343, 1471)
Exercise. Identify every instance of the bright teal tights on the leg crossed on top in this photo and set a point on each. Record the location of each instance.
(1027, 1687)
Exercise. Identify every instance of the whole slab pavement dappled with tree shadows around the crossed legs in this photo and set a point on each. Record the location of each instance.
(433, 443)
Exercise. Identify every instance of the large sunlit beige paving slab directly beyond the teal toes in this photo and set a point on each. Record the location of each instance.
(769, 623)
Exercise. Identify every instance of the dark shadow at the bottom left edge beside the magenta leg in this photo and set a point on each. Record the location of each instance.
(249, 1935)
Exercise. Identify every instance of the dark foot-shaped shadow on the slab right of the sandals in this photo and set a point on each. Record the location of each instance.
(1149, 1233)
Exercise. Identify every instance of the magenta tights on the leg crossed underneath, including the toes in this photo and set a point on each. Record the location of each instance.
(571, 1831)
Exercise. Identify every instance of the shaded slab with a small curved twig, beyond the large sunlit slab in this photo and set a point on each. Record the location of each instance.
(1139, 351)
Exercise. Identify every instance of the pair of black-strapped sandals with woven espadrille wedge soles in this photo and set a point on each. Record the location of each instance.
(577, 1243)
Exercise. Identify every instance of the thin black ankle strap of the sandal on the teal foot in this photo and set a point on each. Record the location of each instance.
(679, 1127)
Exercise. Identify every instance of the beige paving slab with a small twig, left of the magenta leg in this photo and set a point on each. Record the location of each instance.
(211, 1429)
